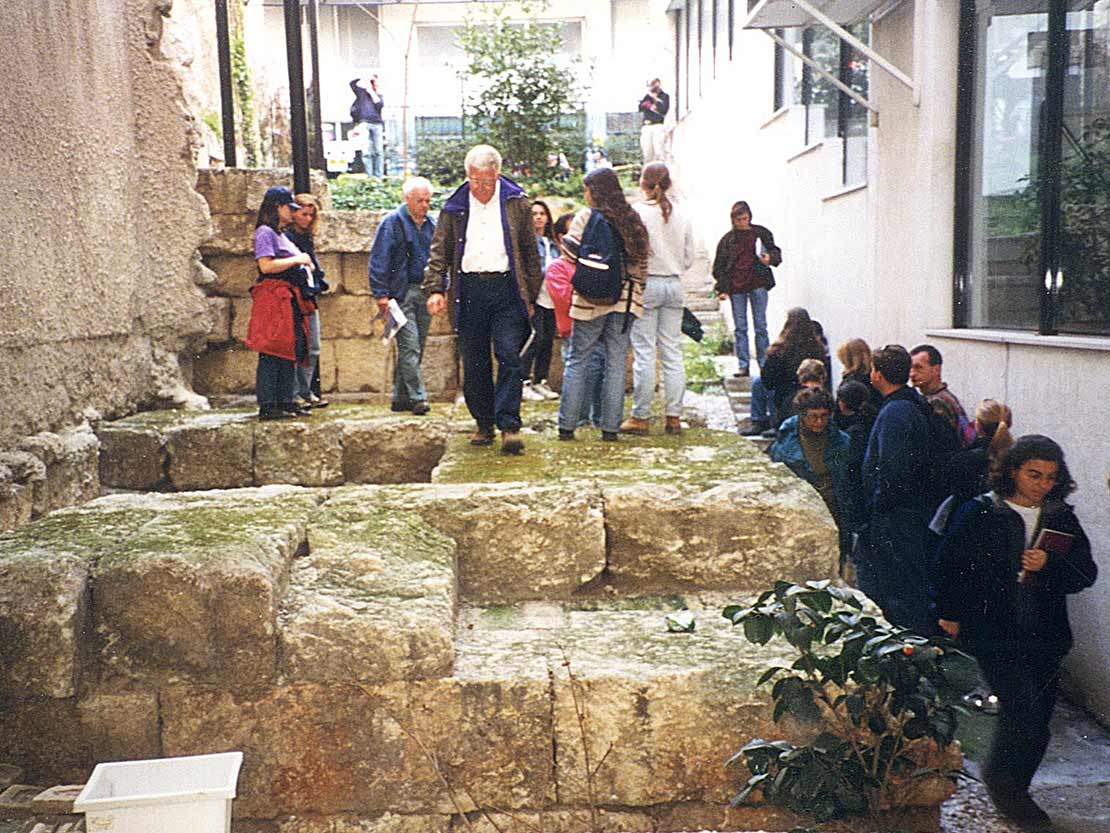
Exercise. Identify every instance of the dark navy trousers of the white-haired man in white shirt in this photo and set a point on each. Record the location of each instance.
(491, 312)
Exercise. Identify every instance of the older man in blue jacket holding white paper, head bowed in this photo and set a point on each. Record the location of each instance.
(397, 270)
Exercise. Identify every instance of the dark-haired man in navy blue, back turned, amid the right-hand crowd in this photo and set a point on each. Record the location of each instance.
(893, 566)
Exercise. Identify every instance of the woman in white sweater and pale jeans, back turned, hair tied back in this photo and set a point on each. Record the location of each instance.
(672, 242)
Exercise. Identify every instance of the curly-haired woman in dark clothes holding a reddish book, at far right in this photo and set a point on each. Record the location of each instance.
(1007, 566)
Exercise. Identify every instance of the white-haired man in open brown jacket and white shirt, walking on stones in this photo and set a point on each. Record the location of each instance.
(485, 255)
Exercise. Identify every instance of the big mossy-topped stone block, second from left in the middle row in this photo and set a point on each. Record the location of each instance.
(195, 594)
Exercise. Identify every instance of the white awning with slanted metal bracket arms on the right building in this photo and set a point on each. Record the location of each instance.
(835, 15)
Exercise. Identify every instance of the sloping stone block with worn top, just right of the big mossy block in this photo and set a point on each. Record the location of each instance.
(375, 601)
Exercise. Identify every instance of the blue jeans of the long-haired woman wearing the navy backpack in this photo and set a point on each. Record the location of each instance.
(586, 336)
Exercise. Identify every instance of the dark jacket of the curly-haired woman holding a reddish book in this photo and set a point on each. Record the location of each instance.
(980, 561)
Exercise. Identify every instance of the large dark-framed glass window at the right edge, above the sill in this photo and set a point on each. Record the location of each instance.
(1038, 205)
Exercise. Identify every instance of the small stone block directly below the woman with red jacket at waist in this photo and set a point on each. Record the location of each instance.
(302, 453)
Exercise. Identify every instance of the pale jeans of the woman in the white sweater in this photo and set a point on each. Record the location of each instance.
(661, 325)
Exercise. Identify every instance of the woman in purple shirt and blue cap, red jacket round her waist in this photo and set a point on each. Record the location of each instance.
(278, 329)
